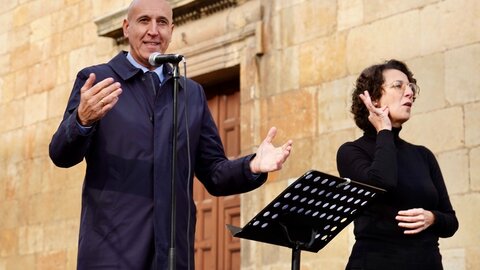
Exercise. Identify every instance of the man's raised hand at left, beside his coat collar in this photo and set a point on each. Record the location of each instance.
(97, 100)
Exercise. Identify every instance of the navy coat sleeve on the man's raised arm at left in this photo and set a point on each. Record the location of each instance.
(69, 145)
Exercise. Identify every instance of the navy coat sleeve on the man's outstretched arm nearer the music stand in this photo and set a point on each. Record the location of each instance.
(220, 176)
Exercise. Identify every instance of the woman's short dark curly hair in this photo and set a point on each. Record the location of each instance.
(371, 80)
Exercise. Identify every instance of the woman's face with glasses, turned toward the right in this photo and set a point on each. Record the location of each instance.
(397, 95)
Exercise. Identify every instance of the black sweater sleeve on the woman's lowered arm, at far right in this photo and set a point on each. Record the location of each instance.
(446, 223)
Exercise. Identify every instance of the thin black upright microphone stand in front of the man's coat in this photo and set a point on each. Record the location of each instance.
(172, 252)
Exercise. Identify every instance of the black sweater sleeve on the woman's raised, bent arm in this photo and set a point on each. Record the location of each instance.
(374, 164)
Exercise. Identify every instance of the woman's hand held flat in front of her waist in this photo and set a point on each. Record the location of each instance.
(415, 220)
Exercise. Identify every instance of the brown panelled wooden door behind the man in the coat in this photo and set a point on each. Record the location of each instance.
(214, 247)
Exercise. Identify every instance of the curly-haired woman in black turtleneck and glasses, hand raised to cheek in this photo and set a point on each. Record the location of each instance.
(400, 230)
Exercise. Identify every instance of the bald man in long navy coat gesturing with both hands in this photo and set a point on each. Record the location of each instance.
(119, 119)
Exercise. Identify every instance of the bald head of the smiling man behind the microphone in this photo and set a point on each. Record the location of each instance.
(148, 28)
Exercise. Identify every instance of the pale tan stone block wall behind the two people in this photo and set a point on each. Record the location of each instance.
(297, 65)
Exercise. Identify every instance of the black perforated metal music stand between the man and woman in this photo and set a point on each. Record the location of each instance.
(309, 213)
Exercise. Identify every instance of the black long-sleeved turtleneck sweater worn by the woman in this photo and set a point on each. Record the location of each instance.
(412, 178)
